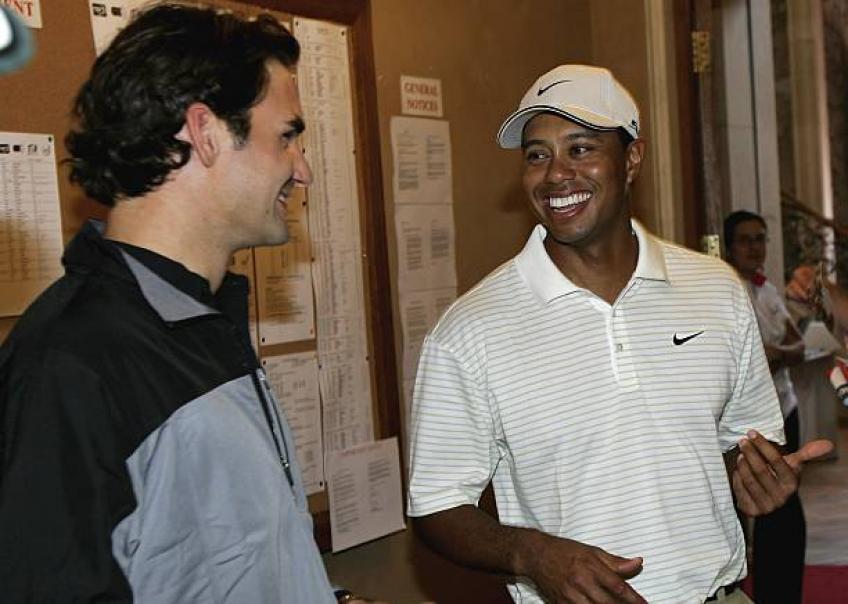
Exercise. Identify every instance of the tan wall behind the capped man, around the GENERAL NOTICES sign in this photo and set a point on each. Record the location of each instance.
(486, 53)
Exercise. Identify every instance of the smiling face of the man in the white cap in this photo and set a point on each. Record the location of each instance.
(577, 179)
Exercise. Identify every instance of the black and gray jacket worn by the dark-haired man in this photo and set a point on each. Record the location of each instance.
(141, 453)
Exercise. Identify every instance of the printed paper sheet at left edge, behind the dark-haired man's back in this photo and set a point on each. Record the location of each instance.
(30, 221)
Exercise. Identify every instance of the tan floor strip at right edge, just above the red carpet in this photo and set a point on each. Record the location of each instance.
(824, 493)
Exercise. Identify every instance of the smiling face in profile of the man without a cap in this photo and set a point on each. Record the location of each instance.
(261, 172)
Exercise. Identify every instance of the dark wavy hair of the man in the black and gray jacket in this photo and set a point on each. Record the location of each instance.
(132, 106)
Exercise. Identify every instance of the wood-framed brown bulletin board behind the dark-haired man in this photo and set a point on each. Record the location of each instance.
(339, 258)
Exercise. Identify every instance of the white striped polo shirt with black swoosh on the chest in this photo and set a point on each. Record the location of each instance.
(604, 424)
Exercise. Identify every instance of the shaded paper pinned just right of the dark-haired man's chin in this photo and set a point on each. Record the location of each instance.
(284, 282)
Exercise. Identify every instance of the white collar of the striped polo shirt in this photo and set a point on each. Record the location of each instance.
(547, 282)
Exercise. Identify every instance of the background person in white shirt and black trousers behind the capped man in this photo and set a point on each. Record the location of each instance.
(779, 537)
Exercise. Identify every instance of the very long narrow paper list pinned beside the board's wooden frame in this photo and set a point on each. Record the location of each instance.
(344, 373)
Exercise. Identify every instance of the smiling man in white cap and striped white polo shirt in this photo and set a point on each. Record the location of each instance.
(603, 380)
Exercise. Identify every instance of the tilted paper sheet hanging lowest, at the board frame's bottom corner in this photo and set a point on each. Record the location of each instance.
(365, 493)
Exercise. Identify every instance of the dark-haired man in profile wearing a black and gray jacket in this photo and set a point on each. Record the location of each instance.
(142, 455)
